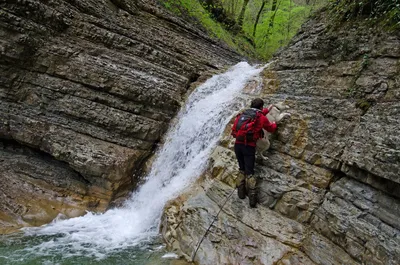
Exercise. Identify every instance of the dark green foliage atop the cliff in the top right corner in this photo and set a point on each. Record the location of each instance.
(386, 12)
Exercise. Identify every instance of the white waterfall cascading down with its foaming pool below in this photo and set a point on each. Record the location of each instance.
(181, 160)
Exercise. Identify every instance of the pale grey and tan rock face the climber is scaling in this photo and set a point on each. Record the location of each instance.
(329, 192)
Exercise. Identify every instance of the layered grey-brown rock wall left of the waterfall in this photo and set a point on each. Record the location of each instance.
(87, 88)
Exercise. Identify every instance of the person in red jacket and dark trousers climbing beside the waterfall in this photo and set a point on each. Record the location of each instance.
(247, 129)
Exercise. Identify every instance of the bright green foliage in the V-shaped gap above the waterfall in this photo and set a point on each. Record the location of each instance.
(268, 37)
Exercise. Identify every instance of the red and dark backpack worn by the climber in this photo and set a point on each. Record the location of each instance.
(243, 128)
